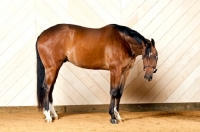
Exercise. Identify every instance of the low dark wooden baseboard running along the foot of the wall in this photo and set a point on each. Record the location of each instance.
(104, 108)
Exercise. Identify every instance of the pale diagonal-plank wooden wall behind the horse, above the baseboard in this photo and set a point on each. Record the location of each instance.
(174, 25)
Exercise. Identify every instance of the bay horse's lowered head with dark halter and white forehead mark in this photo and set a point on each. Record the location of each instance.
(150, 58)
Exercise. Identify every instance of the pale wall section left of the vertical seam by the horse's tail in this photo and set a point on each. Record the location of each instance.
(17, 52)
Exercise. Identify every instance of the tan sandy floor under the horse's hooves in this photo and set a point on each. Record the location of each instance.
(176, 121)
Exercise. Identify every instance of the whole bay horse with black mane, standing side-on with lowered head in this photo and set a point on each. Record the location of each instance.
(112, 47)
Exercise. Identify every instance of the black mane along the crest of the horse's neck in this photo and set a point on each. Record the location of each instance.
(132, 33)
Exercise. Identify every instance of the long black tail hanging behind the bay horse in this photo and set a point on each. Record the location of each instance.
(40, 80)
